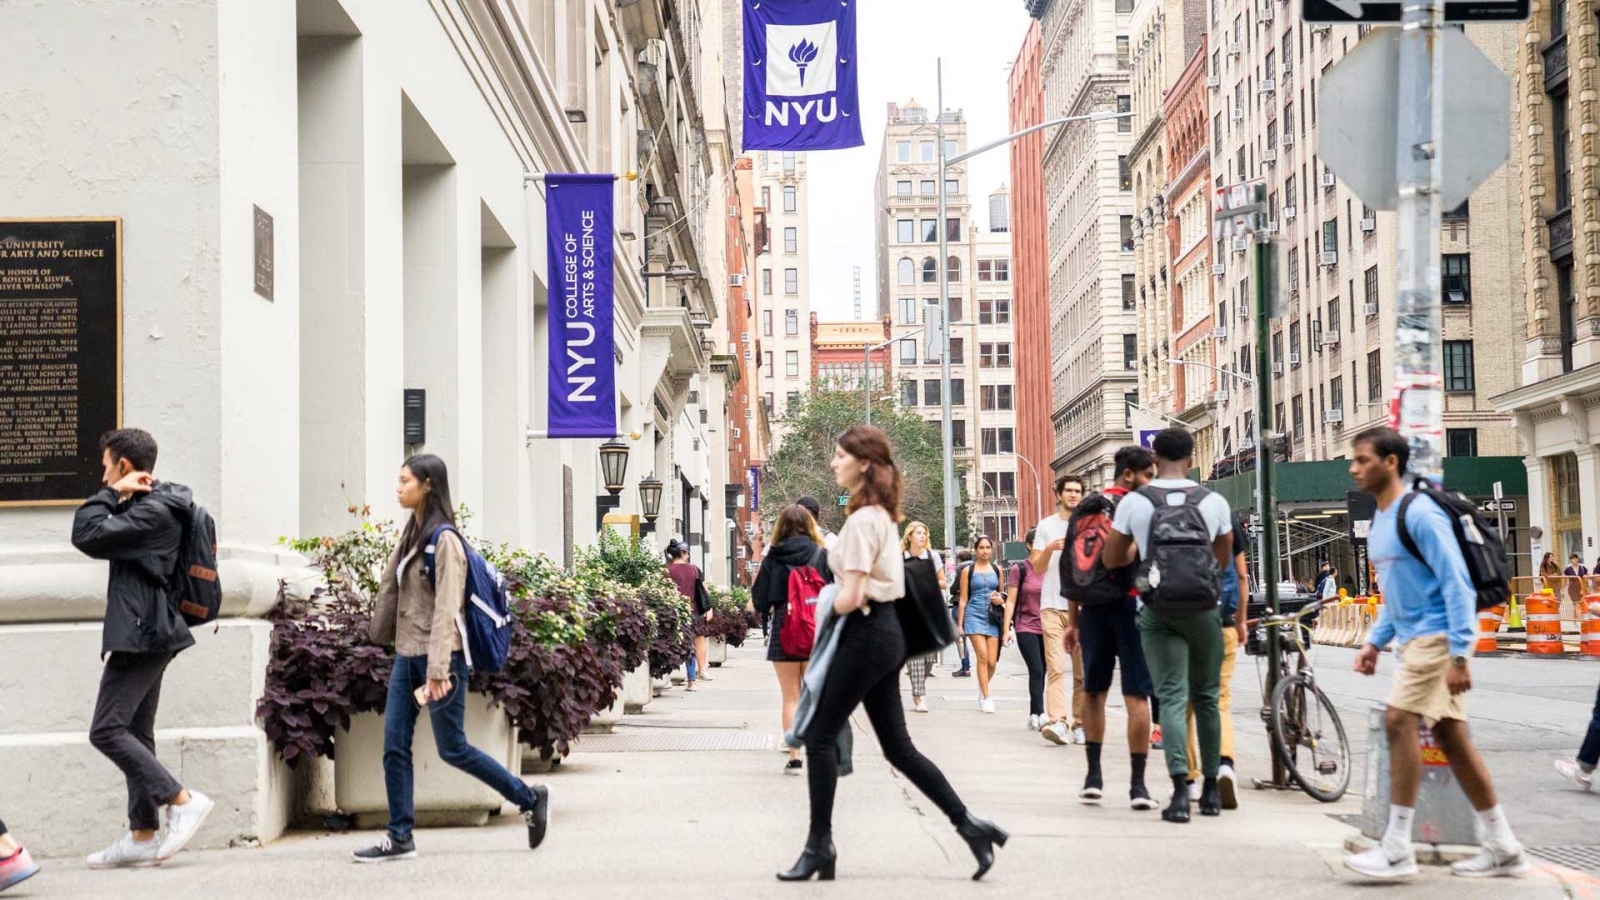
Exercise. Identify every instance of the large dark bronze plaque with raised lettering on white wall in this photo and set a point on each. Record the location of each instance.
(60, 356)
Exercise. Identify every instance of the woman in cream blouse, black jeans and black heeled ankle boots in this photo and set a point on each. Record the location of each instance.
(868, 565)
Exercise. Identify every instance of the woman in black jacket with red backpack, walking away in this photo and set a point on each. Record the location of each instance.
(796, 545)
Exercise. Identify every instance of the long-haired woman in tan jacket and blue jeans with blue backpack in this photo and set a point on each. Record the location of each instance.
(420, 617)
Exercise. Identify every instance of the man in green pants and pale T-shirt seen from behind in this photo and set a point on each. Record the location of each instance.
(1183, 536)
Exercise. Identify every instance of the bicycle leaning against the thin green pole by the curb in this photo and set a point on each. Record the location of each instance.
(1306, 728)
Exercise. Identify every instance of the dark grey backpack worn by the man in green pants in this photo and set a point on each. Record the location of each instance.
(1178, 574)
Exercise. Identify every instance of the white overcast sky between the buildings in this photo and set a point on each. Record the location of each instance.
(898, 42)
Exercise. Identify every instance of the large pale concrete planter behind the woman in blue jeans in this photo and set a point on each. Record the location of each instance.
(442, 794)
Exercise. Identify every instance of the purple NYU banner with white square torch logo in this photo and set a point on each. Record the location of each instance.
(801, 76)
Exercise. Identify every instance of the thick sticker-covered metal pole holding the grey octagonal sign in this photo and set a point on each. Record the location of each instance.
(1418, 409)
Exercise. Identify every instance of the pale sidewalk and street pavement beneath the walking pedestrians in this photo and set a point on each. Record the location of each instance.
(679, 805)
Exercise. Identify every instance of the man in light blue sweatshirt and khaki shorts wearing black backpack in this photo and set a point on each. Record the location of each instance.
(1430, 609)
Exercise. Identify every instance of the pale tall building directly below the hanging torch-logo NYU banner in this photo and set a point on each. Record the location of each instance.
(783, 295)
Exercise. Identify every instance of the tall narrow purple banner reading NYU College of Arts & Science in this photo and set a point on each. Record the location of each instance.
(583, 368)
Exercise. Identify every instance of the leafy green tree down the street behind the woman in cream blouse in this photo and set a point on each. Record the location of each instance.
(801, 465)
